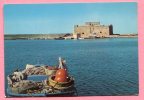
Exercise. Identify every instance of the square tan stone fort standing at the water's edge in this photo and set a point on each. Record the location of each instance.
(92, 30)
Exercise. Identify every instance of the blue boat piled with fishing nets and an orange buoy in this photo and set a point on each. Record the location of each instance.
(41, 81)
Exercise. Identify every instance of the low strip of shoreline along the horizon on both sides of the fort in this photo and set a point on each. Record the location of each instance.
(60, 36)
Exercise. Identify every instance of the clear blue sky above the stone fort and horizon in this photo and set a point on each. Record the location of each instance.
(61, 18)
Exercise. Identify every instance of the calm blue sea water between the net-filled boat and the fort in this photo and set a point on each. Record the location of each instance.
(100, 67)
